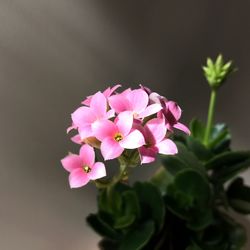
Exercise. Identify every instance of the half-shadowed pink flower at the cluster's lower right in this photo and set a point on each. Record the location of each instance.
(154, 133)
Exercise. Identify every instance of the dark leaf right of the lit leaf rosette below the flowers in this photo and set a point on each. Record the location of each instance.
(151, 202)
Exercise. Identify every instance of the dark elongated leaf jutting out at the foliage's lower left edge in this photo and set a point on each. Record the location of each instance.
(101, 227)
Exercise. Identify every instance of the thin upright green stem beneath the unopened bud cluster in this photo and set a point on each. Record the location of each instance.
(210, 116)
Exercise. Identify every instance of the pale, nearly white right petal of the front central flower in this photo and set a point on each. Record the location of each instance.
(133, 140)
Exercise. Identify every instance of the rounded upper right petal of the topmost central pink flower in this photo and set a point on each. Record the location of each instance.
(138, 100)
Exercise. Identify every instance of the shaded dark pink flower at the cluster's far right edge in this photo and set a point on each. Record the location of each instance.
(172, 113)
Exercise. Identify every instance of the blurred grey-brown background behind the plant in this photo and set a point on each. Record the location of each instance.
(55, 52)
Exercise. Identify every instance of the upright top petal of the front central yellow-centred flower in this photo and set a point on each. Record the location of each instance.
(124, 122)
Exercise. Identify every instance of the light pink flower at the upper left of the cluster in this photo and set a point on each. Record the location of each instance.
(85, 117)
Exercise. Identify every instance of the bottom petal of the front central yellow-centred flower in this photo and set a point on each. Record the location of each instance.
(110, 149)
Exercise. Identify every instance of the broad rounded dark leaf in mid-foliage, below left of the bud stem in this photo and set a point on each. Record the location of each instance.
(189, 197)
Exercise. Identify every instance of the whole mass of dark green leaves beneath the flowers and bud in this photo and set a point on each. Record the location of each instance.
(185, 205)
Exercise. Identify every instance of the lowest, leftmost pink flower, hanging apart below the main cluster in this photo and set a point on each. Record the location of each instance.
(82, 167)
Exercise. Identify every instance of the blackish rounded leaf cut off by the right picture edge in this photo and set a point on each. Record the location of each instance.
(239, 196)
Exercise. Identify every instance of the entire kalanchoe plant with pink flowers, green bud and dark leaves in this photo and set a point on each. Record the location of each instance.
(186, 205)
